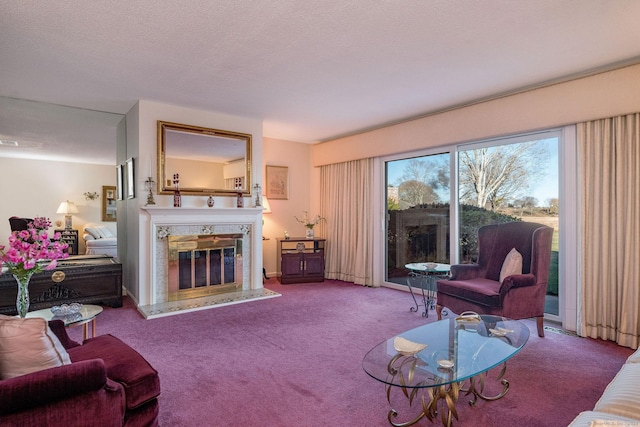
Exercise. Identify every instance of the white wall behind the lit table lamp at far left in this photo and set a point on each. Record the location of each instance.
(33, 188)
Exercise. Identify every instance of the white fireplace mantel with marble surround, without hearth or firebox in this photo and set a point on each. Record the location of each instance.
(157, 221)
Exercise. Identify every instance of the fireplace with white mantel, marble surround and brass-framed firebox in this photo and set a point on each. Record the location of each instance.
(192, 249)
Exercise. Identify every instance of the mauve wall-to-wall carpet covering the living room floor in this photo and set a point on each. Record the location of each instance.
(295, 360)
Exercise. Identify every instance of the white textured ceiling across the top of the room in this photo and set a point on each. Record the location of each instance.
(311, 71)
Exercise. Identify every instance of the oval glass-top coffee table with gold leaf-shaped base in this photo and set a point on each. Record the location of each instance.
(459, 352)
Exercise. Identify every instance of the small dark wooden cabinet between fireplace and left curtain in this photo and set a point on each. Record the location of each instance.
(301, 260)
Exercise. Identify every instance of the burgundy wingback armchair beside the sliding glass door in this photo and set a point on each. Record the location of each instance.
(476, 287)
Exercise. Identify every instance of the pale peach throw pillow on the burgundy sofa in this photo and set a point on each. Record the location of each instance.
(28, 345)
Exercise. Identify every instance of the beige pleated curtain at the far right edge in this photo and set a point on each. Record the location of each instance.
(610, 176)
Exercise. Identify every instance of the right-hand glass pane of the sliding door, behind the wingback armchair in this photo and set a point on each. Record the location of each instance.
(513, 179)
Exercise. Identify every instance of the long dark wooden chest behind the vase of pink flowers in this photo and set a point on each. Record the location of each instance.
(86, 279)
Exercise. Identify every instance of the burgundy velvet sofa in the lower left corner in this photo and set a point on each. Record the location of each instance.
(107, 384)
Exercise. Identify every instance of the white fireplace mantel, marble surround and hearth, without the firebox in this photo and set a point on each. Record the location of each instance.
(165, 221)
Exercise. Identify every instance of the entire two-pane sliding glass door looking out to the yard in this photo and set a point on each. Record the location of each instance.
(500, 180)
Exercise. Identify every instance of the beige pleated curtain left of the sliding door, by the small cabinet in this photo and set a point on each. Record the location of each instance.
(346, 203)
